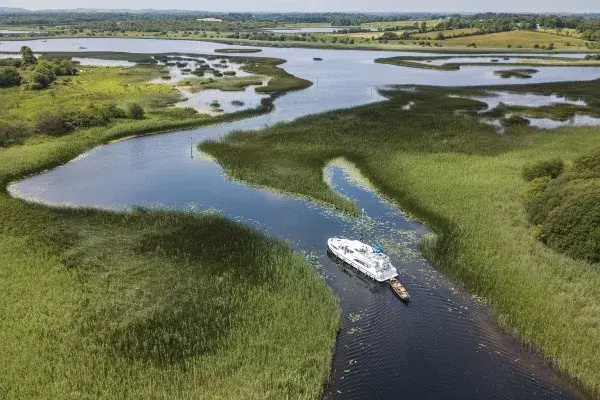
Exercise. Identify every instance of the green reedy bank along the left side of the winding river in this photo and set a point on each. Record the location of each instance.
(146, 304)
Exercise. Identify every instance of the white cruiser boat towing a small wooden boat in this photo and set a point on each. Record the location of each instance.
(369, 260)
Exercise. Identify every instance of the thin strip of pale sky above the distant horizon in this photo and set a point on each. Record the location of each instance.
(573, 6)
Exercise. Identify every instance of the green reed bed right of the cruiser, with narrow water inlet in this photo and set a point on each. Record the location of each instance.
(440, 162)
